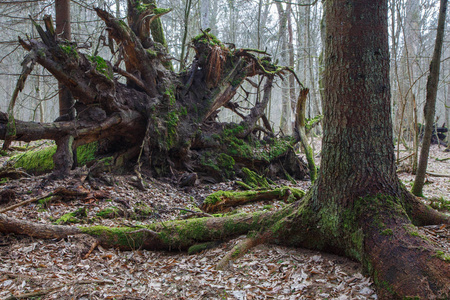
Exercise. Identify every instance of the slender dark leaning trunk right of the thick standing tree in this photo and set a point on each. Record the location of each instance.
(430, 104)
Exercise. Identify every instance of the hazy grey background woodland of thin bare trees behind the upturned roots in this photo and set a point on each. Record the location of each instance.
(291, 31)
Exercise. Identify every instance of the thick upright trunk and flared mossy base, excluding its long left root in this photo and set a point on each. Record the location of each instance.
(358, 205)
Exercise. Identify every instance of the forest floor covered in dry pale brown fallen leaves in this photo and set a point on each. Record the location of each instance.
(59, 269)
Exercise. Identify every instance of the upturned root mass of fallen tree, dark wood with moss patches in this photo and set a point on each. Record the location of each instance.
(168, 120)
